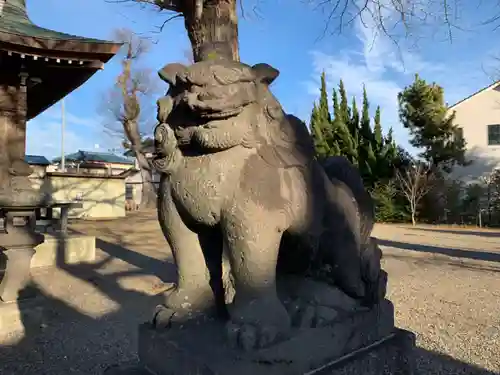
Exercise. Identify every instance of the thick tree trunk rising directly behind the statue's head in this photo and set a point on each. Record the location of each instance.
(212, 27)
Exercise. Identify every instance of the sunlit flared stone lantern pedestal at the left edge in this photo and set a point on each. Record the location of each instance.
(18, 240)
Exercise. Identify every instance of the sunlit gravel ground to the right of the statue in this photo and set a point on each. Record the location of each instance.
(445, 293)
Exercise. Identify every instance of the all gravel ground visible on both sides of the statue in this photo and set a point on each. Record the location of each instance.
(441, 280)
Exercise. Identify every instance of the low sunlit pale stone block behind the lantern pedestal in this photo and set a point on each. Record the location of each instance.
(70, 249)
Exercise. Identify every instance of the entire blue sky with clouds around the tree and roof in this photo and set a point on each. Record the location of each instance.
(284, 33)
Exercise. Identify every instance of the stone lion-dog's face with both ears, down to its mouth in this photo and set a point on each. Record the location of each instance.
(210, 90)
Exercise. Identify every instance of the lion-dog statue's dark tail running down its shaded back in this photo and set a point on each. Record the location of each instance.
(375, 279)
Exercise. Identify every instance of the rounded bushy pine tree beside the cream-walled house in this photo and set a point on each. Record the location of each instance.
(423, 111)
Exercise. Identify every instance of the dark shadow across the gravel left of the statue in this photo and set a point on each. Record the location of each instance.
(64, 340)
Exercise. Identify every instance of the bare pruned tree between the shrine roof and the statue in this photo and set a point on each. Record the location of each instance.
(130, 94)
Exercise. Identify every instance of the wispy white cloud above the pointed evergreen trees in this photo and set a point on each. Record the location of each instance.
(385, 69)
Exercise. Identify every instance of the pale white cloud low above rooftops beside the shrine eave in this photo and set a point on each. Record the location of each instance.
(81, 133)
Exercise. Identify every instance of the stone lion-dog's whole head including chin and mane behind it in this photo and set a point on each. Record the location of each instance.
(236, 98)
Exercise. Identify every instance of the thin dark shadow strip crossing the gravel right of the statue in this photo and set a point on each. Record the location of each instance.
(458, 253)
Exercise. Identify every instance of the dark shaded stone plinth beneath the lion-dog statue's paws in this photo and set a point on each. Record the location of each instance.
(364, 343)
